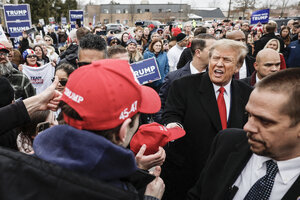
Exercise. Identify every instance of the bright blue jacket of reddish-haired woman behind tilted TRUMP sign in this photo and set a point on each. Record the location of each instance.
(163, 65)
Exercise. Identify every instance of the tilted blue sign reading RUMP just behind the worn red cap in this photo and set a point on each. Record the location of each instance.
(146, 70)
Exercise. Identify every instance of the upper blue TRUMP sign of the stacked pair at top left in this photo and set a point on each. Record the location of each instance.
(19, 12)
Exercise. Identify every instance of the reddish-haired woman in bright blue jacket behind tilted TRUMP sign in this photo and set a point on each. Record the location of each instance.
(156, 50)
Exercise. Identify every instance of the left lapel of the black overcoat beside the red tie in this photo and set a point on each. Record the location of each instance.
(208, 100)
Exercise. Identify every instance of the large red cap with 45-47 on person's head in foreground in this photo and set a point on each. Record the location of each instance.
(105, 93)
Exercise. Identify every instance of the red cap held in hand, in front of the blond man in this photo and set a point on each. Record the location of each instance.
(154, 135)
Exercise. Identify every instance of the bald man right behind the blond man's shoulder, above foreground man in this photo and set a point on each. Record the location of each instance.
(267, 62)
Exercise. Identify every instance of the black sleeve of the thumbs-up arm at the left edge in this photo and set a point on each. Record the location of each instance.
(13, 116)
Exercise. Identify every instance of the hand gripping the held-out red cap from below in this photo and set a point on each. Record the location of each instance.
(147, 162)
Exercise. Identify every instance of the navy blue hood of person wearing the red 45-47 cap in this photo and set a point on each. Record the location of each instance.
(85, 152)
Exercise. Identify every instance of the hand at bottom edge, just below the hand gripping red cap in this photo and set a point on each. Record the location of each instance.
(157, 187)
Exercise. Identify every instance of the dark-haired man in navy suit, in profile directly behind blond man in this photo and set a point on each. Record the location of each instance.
(199, 47)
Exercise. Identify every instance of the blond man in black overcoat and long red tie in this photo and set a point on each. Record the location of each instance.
(200, 104)
